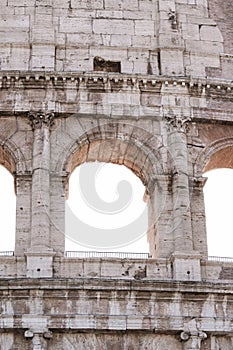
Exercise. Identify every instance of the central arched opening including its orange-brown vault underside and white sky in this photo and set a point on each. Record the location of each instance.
(132, 163)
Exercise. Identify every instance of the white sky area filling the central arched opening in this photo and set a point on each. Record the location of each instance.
(105, 210)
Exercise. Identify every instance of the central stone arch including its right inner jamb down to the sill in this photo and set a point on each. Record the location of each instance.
(122, 143)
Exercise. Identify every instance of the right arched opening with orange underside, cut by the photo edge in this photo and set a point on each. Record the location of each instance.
(218, 194)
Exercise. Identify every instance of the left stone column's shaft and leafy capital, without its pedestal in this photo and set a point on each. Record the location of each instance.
(40, 221)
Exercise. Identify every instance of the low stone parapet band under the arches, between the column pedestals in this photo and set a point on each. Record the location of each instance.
(123, 269)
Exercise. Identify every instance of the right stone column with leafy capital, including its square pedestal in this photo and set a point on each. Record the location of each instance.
(184, 247)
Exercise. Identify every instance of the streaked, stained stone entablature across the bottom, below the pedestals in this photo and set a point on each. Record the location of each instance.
(74, 314)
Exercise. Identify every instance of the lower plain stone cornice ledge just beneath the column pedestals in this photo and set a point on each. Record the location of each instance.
(105, 284)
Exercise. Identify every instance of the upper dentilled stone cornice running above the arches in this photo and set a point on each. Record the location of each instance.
(14, 78)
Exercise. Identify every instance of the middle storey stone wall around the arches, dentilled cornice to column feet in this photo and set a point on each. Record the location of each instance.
(170, 119)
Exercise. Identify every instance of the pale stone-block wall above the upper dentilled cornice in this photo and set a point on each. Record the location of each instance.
(145, 36)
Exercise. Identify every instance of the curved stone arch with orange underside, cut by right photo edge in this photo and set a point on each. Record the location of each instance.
(217, 154)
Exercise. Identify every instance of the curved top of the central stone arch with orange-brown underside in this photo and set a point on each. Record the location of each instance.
(141, 154)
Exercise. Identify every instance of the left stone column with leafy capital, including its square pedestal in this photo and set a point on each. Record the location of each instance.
(39, 256)
